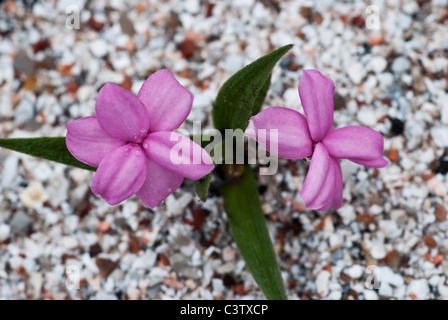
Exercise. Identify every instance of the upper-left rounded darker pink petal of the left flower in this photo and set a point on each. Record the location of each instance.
(121, 114)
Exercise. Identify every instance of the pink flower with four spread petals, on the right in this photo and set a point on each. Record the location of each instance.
(300, 137)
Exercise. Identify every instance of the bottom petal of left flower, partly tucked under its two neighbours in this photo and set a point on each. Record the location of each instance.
(159, 184)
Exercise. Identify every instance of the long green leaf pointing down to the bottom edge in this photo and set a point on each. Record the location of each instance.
(250, 233)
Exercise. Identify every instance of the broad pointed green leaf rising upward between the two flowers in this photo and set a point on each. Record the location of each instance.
(235, 101)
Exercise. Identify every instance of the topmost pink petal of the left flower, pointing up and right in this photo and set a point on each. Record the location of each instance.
(167, 101)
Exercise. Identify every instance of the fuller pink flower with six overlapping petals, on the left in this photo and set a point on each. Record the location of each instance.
(130, 141)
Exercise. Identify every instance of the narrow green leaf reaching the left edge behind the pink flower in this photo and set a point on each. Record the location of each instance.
(50, 148)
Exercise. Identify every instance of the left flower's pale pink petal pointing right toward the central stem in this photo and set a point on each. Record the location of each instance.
(179, 154)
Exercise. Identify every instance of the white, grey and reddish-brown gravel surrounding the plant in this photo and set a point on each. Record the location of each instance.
(394, 80)
